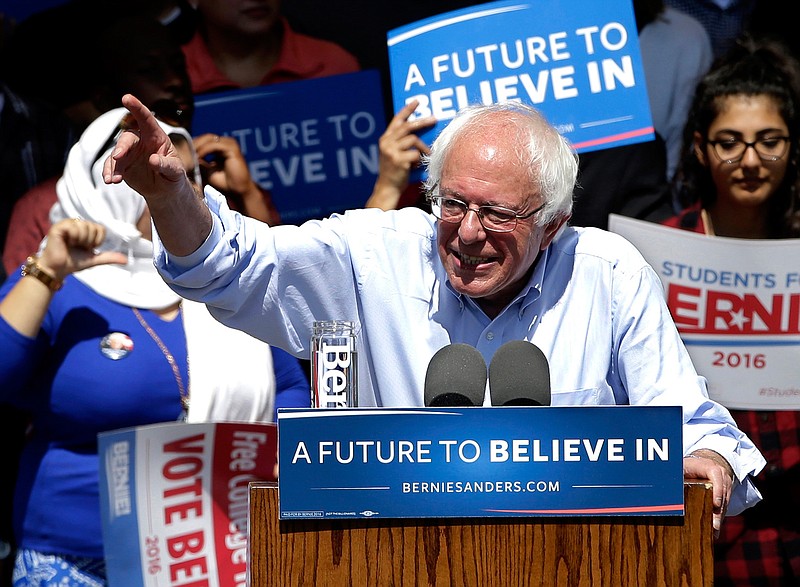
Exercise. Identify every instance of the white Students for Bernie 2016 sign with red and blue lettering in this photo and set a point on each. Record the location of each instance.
(736, 303)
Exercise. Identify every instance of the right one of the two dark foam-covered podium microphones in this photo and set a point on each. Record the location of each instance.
(519, 375)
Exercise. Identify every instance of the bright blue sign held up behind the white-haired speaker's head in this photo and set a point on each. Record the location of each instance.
(578, 61)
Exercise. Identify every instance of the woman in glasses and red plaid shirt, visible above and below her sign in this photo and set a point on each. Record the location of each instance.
(739, 178)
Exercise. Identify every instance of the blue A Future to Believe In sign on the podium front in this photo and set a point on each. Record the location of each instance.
(480, 462)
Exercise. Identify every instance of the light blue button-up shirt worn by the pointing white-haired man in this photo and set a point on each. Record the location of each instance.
(593, 306)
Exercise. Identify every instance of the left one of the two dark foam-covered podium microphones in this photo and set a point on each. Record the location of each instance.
(456, 377)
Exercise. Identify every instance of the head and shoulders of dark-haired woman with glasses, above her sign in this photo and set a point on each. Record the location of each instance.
(739, 178)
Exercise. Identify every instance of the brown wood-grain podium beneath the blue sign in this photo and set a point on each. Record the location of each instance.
(569, 552)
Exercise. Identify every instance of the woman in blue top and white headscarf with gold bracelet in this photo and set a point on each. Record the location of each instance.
(93, 340)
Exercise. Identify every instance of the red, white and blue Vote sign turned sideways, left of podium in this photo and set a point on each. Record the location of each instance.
(174, 501)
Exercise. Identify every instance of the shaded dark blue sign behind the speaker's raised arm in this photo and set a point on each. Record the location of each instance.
(313, 144)
